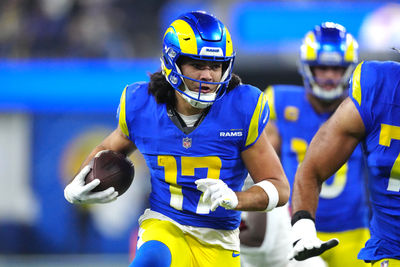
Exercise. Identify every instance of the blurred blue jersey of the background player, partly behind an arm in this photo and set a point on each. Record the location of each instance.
(342, 203)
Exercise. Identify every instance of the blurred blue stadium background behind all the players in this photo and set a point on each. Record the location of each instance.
(63, 66)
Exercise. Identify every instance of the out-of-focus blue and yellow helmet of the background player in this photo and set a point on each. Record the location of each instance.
(328, 44)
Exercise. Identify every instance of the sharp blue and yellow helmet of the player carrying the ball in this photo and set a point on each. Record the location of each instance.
(199, 36)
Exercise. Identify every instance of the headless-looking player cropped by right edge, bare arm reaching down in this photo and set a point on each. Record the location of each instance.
(370, 116)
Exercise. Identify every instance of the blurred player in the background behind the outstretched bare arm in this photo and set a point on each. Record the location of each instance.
(328, 56)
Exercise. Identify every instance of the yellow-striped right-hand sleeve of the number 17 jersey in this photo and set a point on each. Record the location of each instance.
(259, 119)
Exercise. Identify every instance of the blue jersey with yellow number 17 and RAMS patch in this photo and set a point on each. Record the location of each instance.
(213, 150)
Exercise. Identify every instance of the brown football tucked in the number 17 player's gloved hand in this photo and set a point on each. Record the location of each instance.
(113, 169)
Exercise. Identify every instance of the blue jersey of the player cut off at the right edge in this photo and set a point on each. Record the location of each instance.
(375, 91)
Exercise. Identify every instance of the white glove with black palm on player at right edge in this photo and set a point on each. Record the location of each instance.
(306, 244)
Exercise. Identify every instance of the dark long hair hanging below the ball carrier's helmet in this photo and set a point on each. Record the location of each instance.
(165, 93)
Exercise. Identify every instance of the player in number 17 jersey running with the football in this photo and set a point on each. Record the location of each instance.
(201, 131)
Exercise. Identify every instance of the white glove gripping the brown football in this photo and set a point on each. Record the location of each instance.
(79, 193)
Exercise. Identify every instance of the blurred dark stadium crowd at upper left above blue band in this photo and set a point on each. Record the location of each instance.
(78, 29)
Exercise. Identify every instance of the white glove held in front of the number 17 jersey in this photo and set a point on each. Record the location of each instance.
(218, 193)
